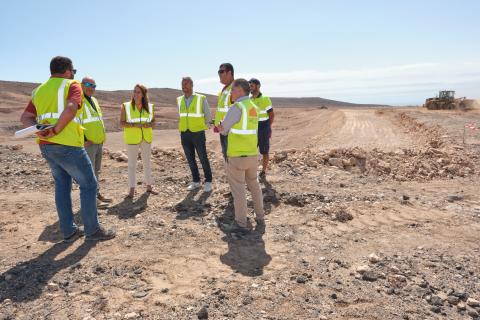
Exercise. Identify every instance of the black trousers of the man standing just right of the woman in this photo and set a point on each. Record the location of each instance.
(196, 141)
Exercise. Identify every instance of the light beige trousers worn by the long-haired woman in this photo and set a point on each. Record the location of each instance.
(132, 153)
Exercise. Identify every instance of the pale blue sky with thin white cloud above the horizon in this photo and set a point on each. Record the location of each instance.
(394, 52)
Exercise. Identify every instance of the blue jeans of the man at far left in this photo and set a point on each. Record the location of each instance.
(69, 163)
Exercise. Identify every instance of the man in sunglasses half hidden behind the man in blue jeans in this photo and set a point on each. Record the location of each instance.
(94, 129)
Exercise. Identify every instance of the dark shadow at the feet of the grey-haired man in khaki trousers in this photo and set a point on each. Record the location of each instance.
(246, 253)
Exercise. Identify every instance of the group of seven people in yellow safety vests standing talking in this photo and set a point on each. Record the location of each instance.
(73, 143)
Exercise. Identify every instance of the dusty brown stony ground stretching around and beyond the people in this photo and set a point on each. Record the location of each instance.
(372, 214)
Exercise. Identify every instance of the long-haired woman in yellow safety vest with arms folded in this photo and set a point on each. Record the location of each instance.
(137, 120)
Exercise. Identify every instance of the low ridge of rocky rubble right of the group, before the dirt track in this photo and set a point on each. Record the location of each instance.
(402, 165)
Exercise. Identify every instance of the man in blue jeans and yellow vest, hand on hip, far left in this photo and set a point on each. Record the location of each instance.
(58, 102)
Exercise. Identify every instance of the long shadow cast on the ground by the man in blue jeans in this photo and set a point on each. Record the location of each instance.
(26, 281)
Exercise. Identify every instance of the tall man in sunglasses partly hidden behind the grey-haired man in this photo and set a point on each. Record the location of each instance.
(226, 75)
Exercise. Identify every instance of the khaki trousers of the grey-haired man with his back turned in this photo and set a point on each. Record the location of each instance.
(241, 170)
